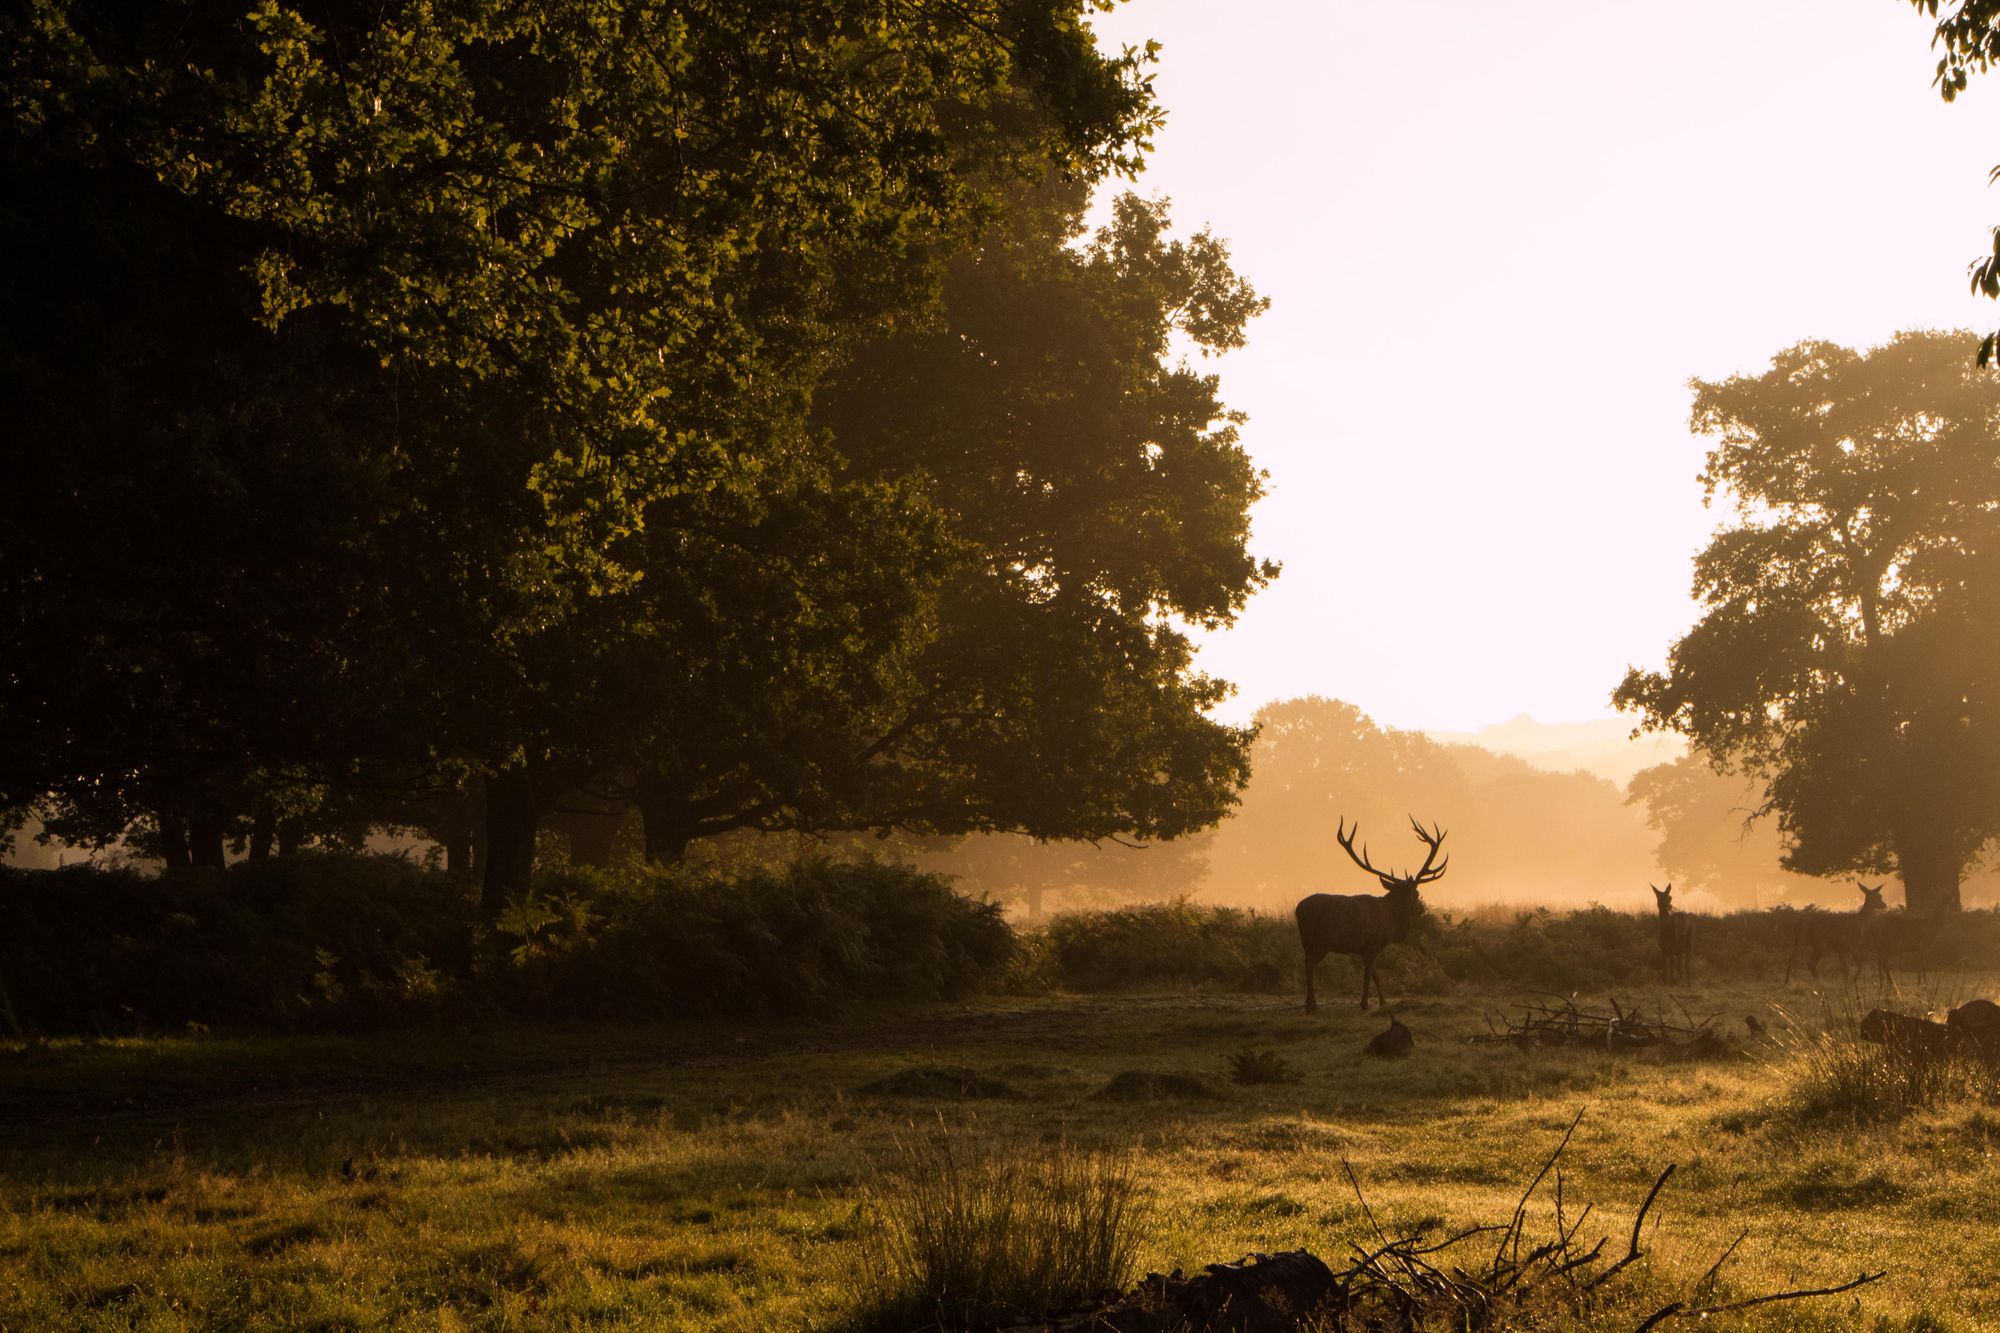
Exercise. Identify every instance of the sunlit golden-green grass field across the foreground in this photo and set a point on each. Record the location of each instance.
(715, 1176)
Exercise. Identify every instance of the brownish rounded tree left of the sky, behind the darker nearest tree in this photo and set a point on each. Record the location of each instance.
(997, 643)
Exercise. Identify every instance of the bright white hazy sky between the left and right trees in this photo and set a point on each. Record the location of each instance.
(1499, 239)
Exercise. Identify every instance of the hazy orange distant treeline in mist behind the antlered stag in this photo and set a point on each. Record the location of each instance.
(1519, 834)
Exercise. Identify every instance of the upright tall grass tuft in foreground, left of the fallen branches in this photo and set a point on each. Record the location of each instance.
(969, 1234)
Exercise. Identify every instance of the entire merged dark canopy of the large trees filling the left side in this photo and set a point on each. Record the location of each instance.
(705, 405)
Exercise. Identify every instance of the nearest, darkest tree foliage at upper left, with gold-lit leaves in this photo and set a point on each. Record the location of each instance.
(465, 331)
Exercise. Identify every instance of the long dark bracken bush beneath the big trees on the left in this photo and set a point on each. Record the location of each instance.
(355, 942)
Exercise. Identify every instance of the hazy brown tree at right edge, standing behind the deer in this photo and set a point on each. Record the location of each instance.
(1849, 655)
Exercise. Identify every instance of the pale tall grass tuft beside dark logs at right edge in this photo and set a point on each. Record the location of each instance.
(1835, 1076)
